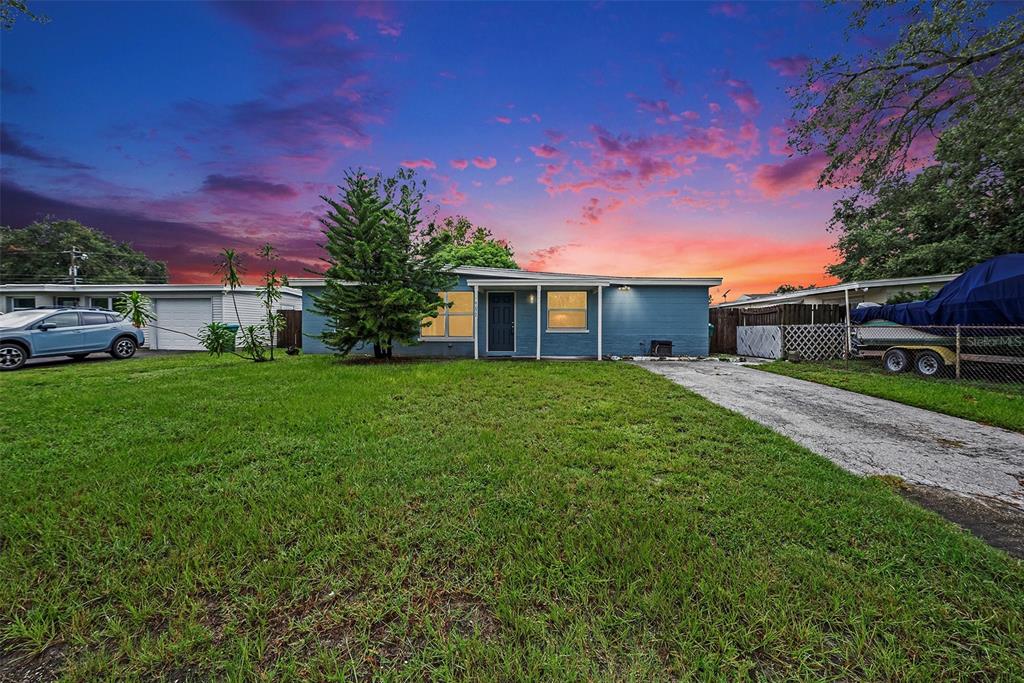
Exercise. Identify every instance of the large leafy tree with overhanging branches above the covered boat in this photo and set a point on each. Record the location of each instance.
(953, 79)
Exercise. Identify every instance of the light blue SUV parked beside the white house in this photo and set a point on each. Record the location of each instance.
(74, 332)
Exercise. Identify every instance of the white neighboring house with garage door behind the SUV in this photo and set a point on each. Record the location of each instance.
(182, 308)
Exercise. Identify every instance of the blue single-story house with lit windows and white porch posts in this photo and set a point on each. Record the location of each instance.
(498, 313)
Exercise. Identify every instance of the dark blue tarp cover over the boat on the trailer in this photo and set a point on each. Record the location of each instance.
(991, 293)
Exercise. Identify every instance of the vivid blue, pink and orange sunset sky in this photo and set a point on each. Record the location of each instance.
(596, 138)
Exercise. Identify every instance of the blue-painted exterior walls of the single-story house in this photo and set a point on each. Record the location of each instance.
(632, 319)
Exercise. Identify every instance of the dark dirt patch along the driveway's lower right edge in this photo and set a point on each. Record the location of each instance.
(1000, 525)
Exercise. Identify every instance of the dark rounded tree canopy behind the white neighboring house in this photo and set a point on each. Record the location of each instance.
(34, 254)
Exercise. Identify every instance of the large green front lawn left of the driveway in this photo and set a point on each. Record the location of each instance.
(304, 520)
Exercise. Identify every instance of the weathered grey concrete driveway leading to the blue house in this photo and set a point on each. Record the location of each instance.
(971, 474)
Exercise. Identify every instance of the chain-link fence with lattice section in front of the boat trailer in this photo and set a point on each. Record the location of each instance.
(990, 355)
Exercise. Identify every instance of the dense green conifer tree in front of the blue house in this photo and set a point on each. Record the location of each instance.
(383, 271)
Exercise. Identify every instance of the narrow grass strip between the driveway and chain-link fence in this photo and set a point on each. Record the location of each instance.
(990, 404)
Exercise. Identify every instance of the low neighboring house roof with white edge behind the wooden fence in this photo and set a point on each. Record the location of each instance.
(875, 291)
